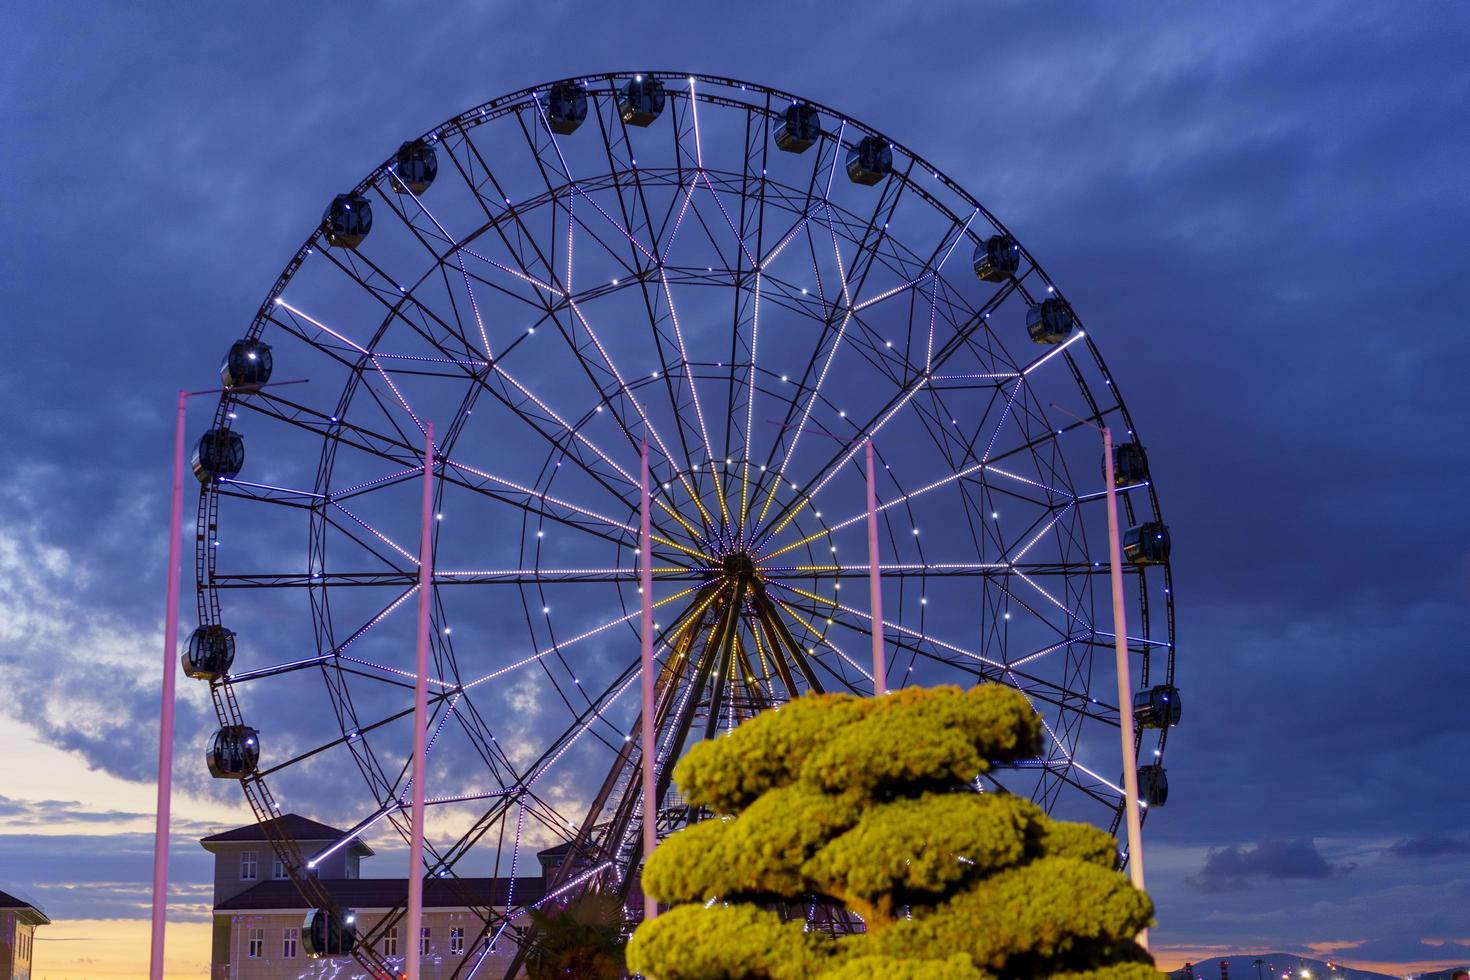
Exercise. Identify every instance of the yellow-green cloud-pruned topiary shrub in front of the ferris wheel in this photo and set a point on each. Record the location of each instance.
(870, 804)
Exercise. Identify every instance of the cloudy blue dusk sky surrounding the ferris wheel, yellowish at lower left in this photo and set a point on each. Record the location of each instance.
(1259, 209)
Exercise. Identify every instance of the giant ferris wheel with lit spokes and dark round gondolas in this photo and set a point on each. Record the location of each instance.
(755, 286)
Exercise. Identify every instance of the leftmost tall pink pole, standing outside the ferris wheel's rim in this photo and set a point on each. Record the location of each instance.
(171, 640)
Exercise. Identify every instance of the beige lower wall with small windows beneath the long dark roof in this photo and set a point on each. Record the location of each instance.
(273, 962)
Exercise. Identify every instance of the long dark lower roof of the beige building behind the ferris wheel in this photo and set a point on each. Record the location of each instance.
(362, 894)
